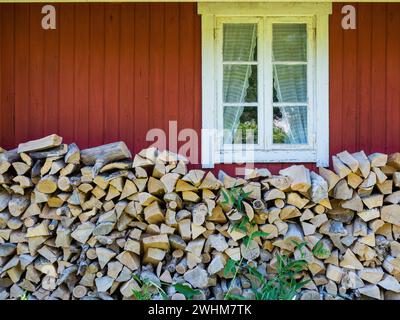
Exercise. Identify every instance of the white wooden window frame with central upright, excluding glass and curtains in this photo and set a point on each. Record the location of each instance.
(316, 15)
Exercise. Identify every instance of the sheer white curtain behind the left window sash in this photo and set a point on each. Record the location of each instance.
(239, 45)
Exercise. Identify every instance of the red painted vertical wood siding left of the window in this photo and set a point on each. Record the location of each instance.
(108, 72)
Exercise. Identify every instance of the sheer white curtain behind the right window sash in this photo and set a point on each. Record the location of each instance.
(290, 80)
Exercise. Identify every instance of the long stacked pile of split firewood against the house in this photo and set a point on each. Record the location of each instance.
(77, 224)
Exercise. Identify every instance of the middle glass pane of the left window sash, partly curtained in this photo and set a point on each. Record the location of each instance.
(240, 83)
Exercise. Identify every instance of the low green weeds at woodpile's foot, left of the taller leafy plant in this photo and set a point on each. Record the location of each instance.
(149, 288)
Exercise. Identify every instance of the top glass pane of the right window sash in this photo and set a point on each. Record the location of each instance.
(289, 42)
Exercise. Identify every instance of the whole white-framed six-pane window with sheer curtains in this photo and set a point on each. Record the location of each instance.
(265, 83)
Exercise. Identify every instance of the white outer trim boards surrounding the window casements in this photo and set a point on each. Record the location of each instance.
(319, 135)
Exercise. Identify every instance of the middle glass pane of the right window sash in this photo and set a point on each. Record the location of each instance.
(290, 83)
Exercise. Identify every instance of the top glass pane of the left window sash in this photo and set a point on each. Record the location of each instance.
(240, 42)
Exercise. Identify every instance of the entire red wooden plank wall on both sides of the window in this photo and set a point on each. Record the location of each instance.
(113, 71)
